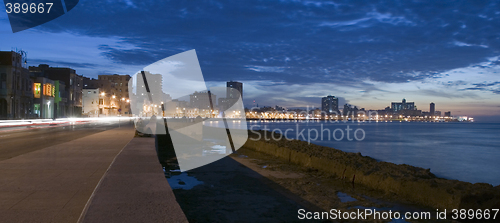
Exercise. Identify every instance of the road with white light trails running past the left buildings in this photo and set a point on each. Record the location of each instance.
(18, 142)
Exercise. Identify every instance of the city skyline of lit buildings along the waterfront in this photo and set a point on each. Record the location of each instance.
(232, 88)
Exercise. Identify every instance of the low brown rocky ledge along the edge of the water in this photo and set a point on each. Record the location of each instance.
(409, 183)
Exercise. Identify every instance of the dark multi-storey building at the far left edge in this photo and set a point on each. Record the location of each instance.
(16, 93)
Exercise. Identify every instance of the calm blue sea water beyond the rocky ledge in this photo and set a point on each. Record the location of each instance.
(454, 150)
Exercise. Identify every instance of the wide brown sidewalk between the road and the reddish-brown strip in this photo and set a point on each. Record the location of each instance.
(54, 184)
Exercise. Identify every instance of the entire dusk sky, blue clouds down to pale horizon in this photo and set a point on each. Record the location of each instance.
(291, 52)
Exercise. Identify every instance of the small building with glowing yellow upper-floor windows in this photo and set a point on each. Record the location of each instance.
(44, 91)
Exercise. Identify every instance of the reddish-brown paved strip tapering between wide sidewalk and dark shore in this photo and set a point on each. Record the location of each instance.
(135, 189)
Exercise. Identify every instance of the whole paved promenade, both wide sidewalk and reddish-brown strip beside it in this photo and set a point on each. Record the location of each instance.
(57, 183)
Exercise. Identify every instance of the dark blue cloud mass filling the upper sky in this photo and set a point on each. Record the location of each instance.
(297, 41)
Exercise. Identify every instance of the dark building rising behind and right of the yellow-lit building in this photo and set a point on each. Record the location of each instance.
(73, 85)
